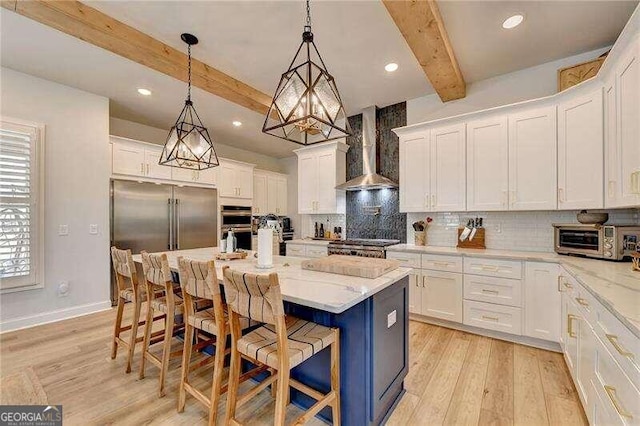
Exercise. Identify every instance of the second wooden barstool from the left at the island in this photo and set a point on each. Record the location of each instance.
(163, 296)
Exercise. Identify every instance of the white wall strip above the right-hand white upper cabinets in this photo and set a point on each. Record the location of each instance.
(526, 84)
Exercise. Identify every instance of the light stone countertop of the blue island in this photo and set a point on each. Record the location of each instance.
(328, 292)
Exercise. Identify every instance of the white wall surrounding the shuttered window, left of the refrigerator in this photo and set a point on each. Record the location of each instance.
(76, 176)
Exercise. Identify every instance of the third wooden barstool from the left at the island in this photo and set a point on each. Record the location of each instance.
(200, 281)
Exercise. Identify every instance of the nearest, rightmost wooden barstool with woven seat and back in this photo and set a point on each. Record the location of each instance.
(281, 344)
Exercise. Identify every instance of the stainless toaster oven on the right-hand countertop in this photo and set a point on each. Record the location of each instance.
(613, 242)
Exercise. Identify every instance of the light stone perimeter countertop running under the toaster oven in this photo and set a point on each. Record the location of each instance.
(613, 284)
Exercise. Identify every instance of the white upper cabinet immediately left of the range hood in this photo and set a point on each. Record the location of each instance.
(320, 168)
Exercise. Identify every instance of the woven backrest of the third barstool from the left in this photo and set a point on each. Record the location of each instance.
(198, 279)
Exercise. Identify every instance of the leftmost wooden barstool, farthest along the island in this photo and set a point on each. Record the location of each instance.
(129, 291)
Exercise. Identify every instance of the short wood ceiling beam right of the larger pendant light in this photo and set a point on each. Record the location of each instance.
(420, 23)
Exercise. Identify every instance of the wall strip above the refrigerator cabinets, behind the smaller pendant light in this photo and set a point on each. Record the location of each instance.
(131, 130)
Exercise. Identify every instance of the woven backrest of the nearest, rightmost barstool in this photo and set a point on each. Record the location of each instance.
(256, 297)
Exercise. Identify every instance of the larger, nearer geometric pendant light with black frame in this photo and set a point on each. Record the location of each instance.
(306, 107)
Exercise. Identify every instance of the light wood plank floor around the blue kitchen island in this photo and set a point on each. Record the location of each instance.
(455, 377)
